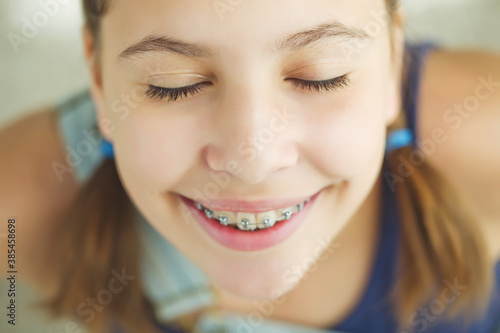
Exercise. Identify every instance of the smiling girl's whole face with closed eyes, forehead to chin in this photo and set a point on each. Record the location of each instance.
(252, 129)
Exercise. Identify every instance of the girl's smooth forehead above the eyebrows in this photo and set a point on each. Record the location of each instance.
(225, 24)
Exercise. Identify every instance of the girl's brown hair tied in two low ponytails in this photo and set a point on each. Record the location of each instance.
(440, 239)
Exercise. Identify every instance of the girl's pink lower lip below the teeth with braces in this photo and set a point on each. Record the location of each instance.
(249, 240)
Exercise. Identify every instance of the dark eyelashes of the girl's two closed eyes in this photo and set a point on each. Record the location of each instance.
(172, 94)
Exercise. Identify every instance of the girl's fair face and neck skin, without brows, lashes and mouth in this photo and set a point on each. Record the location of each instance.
(334, 140)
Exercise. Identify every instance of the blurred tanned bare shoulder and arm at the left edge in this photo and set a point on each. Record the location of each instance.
(31, 192)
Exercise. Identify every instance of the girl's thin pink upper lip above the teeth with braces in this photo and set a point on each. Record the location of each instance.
(252, 206)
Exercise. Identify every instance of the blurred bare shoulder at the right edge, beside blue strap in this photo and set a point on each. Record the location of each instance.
(459, 116)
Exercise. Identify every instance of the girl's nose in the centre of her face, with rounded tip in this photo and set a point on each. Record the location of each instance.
(252, 136)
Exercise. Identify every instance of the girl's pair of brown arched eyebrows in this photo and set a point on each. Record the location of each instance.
(290, 44)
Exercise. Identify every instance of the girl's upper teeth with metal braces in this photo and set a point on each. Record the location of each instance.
(248, 221)
